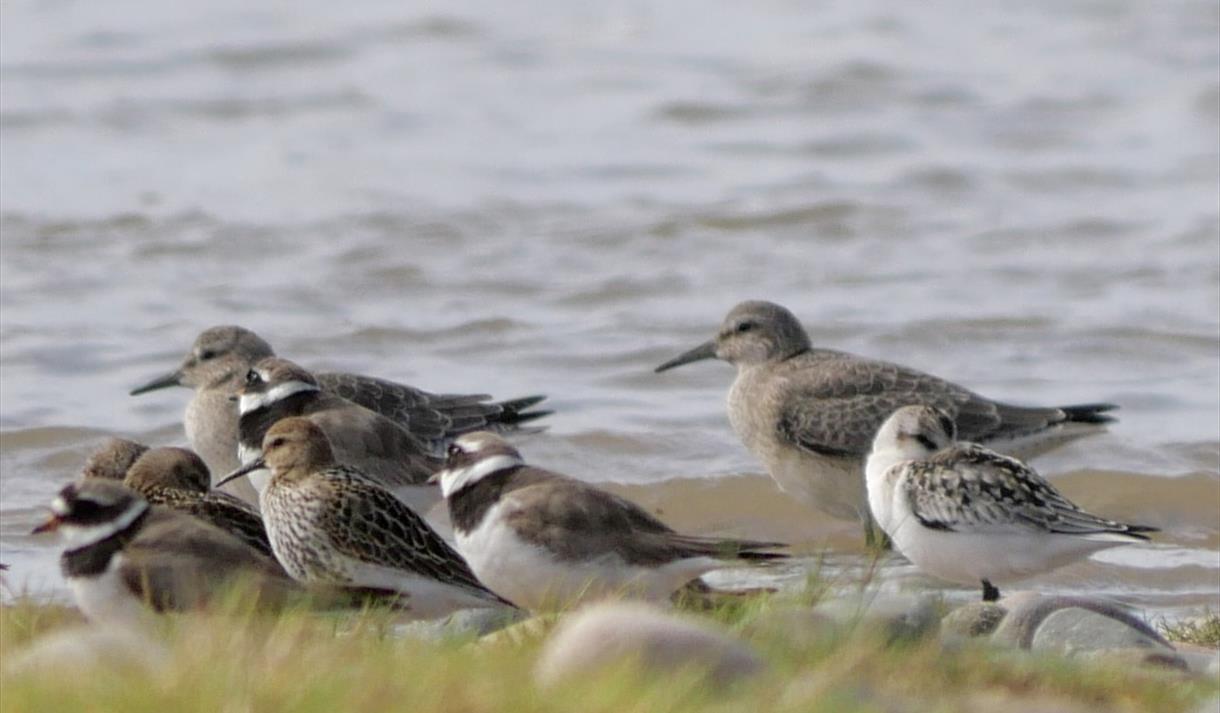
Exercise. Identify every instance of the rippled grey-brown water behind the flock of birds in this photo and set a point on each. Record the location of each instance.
(556, 198)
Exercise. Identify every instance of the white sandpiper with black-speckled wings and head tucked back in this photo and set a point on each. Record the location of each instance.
(971, 516)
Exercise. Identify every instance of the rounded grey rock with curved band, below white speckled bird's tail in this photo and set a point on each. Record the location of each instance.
(1072, 623)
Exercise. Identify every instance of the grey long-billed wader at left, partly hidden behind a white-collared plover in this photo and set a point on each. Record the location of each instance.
(220, 358)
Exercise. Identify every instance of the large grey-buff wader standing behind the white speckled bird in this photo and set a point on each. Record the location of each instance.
(811, 414)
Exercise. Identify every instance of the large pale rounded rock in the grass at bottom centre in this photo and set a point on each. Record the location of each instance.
(611, 633)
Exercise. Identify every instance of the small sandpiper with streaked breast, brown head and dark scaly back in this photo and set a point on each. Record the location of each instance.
(332, 524)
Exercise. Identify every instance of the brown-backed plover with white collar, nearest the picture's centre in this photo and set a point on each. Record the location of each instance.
(546, 540)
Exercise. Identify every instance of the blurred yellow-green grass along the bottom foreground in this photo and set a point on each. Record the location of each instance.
(239, 661)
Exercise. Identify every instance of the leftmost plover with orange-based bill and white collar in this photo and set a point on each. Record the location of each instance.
(124, 556)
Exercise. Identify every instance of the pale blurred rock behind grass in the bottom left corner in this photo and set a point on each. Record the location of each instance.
(81, 650)
